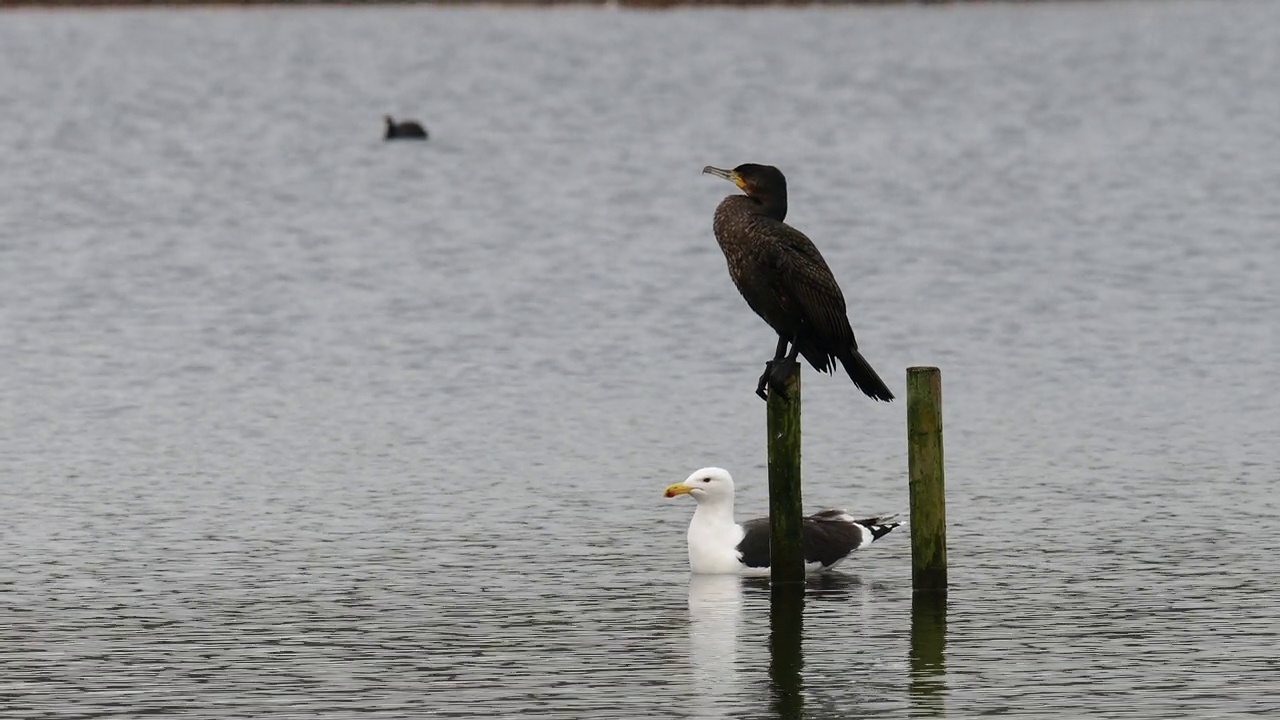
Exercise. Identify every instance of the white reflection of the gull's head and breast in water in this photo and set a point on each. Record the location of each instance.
(715, 607)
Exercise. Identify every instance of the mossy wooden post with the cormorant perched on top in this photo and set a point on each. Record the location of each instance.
(787, 557)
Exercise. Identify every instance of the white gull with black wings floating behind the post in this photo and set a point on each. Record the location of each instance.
(720, 546)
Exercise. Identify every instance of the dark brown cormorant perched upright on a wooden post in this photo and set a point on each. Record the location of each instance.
(784, 279)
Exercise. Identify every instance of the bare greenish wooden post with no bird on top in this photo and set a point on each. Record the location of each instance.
(927, 490)
